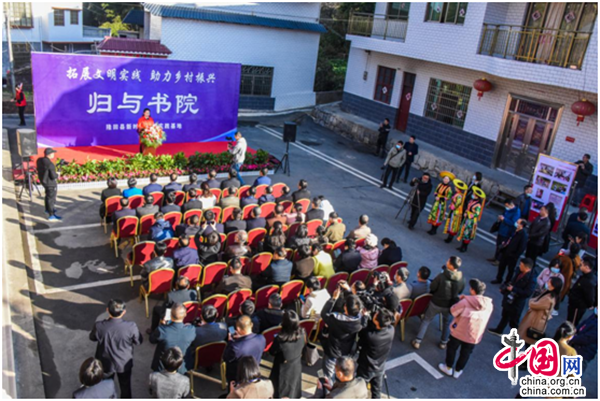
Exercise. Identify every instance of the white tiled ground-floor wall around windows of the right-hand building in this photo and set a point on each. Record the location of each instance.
(484, 117)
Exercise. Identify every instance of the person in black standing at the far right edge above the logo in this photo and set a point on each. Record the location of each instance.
(583, 294)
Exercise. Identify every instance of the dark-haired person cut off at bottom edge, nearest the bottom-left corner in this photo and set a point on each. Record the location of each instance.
(93, 382)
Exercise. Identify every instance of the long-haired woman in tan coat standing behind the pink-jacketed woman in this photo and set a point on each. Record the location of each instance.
(540, 311)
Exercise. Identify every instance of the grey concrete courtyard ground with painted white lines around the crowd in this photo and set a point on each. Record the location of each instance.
(73, 273)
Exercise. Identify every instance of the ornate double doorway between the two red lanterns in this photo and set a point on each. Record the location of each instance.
(528, 130)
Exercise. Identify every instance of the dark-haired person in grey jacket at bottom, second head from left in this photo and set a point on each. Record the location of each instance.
(169, 383)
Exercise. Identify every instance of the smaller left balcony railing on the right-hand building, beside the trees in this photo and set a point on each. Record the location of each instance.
(377, 26)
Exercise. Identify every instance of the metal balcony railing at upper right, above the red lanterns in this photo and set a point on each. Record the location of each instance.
(555, 47)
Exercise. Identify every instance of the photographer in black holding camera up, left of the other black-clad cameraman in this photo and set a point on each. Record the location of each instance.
(340, 339)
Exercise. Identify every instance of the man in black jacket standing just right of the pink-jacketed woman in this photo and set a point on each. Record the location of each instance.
(515, 295)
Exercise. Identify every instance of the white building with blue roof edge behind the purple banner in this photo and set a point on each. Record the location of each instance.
(276, 43)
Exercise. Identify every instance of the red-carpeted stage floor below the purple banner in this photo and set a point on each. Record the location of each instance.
(81, 153)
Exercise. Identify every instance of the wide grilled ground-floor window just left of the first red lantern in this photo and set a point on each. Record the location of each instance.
(447, 102)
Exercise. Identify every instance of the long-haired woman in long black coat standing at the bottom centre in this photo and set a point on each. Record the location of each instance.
(286, 374)
